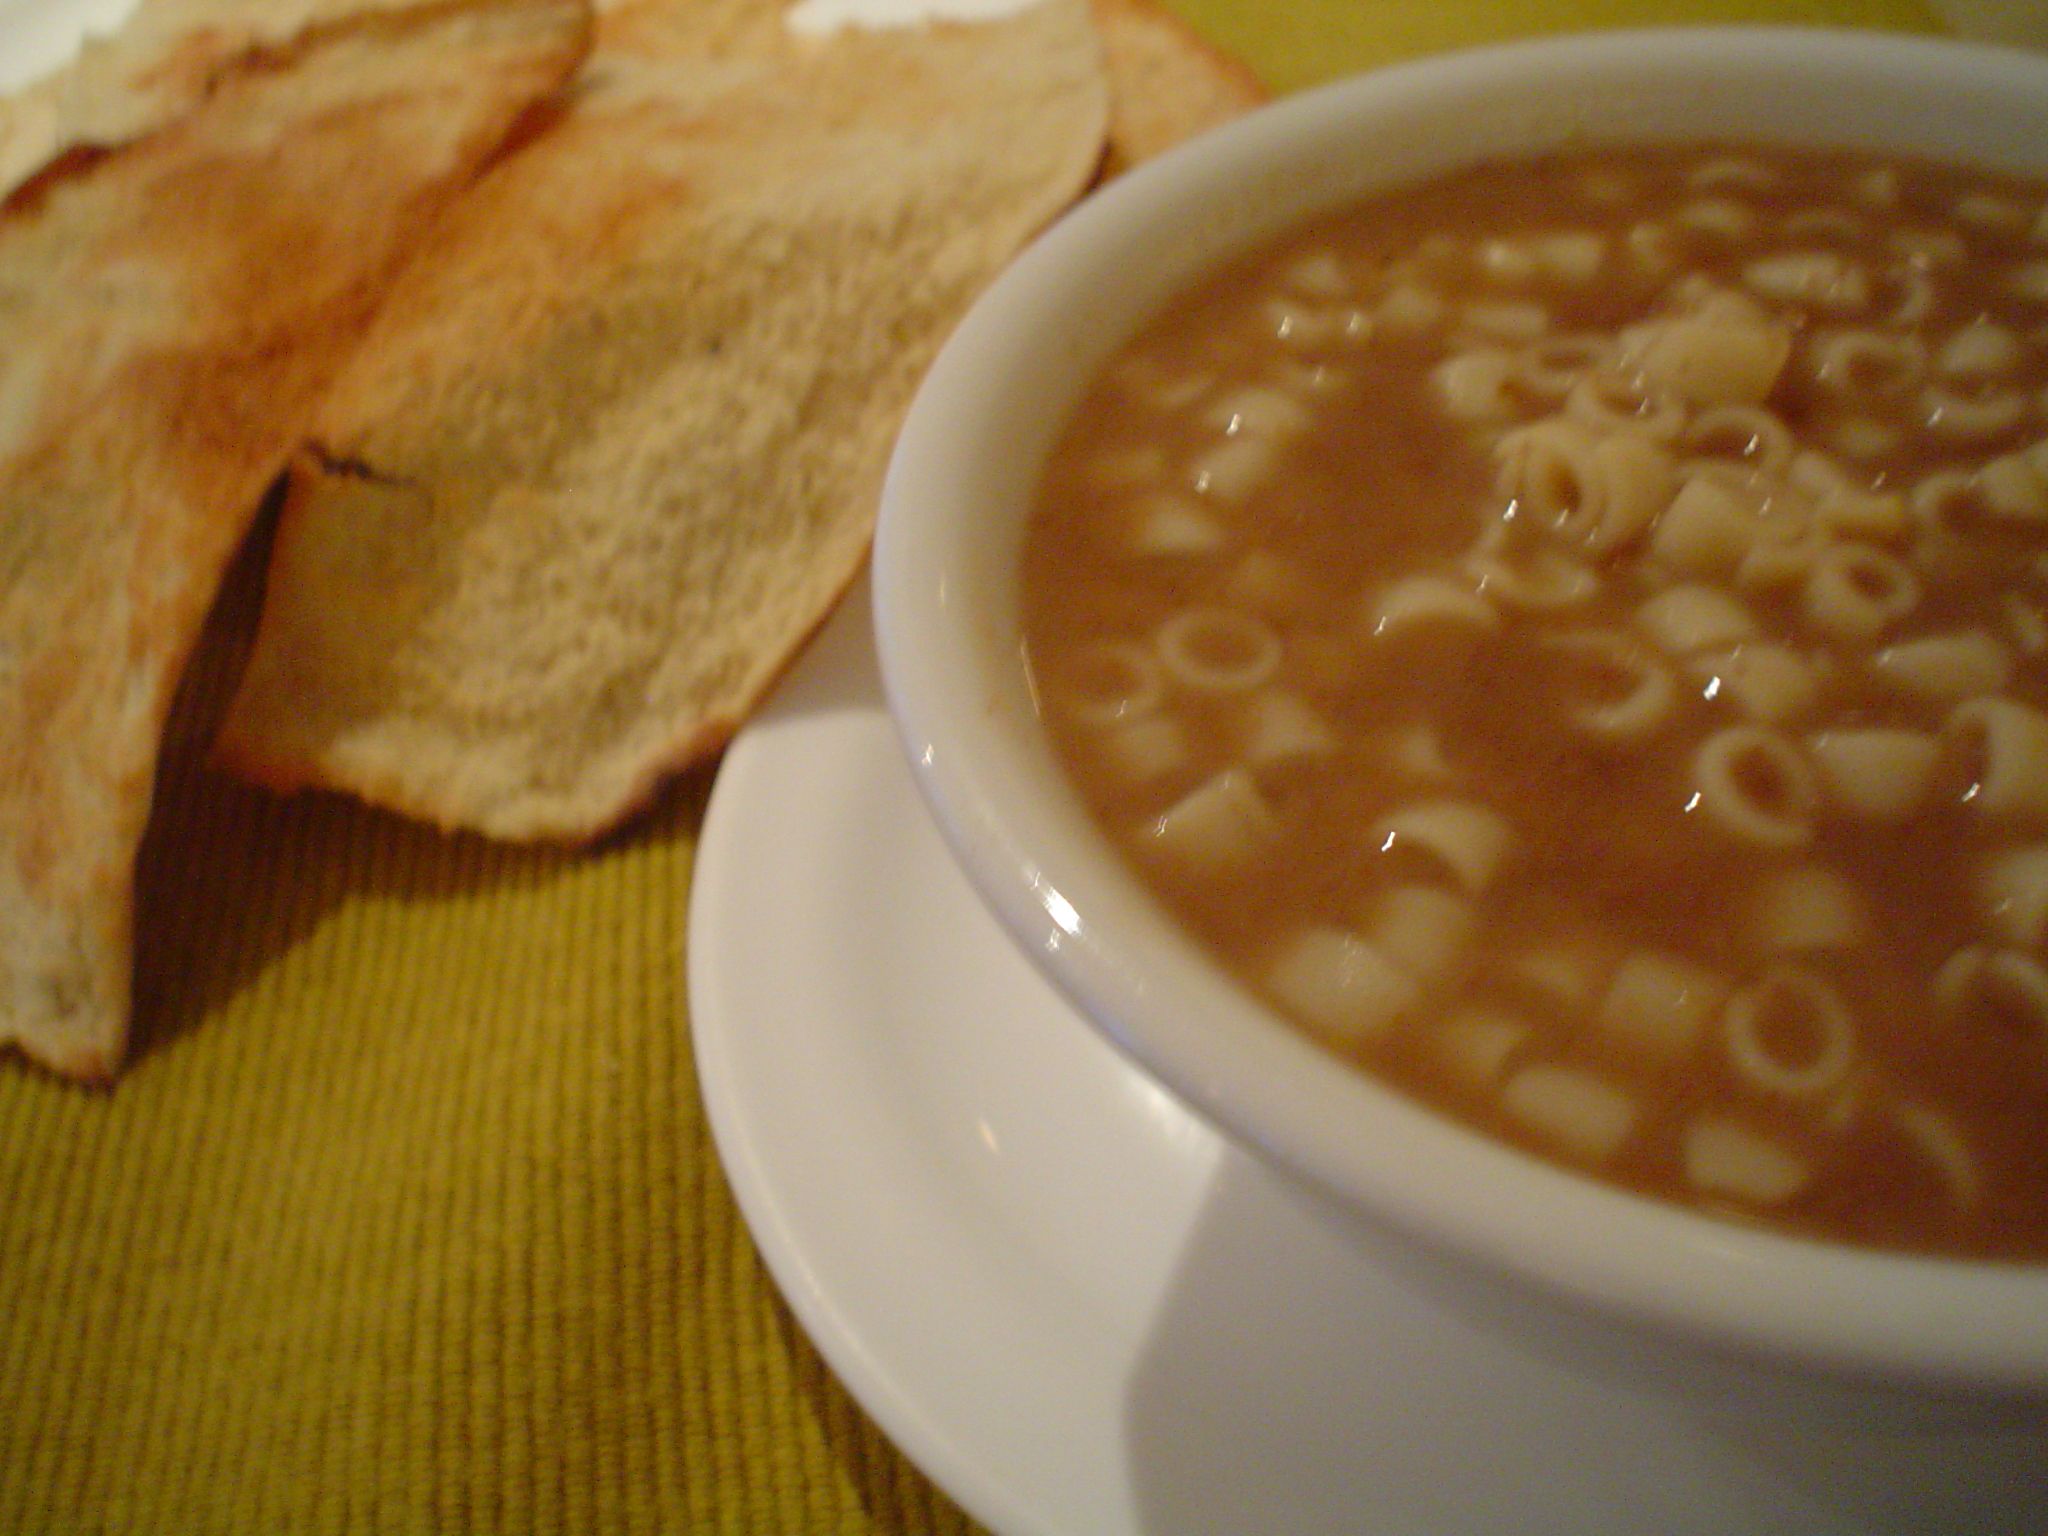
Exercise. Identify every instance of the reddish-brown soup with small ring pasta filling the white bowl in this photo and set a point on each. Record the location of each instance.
(1576, 640)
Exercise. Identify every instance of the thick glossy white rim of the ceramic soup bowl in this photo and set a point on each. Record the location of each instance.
(947, 615)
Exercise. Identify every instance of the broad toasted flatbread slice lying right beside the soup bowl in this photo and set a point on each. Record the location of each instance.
(615, 443)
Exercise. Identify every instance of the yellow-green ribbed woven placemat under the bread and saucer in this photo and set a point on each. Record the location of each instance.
(407, 1215)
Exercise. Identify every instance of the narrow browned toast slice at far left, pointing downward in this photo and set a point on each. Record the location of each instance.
(173, 310)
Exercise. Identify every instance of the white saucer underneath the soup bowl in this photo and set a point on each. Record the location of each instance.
(1080, 1310)
